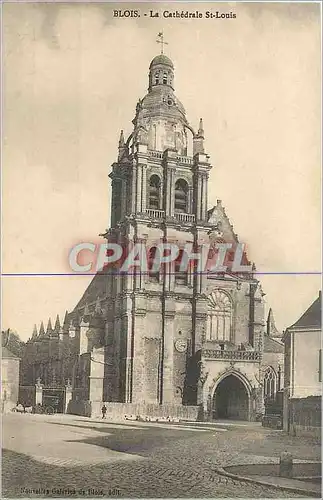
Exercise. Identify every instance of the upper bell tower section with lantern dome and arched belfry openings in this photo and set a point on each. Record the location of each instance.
(145, 179)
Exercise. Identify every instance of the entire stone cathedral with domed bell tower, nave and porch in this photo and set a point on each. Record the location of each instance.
(169, 340)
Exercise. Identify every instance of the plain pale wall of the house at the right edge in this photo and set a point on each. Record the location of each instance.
(305, 362)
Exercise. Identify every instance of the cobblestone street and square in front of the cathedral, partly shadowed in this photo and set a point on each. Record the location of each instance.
(74, 456)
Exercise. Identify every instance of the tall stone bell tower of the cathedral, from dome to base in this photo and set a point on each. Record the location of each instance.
(159, 193)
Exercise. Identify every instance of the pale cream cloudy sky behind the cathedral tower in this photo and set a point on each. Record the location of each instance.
(72, 77)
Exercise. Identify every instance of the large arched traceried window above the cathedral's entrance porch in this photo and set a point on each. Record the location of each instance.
(220, 316)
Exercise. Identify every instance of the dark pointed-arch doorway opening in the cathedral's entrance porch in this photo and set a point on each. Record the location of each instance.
(231, 399)
